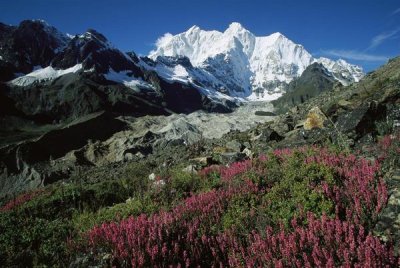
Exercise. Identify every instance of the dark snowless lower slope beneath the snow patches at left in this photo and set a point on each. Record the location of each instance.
(72, 96)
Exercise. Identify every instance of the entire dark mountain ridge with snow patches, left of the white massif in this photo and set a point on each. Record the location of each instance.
(84, 73)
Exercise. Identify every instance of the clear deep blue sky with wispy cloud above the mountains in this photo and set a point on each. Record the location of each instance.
(364, 32)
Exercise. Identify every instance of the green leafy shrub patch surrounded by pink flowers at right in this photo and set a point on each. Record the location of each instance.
(297, 191)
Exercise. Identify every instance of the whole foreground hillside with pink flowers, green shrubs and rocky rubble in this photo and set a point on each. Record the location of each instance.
(315, 186)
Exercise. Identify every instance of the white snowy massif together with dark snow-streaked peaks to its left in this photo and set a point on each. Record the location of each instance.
(202, 67)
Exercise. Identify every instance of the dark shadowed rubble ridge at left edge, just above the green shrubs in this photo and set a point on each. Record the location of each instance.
(29, 164)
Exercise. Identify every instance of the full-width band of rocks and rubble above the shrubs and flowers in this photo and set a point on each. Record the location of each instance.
(351, 117)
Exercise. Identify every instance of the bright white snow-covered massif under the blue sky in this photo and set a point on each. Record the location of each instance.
(241, 64)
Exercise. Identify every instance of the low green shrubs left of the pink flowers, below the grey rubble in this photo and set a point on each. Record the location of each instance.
(37, 231)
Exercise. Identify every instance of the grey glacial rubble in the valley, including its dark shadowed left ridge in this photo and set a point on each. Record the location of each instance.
(101, 139)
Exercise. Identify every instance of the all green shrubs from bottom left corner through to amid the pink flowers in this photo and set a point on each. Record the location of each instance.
(45, 226)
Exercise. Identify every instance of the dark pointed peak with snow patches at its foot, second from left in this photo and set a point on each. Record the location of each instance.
(87, 52)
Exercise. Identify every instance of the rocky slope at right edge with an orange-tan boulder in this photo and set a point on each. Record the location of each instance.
(351, 115)
